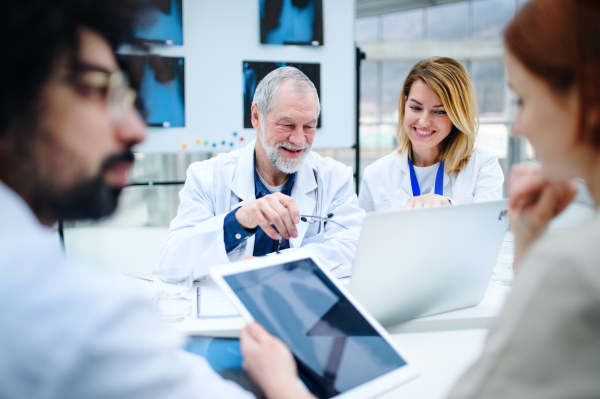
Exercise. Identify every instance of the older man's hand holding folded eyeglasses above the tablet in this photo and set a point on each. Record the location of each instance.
(274, 209)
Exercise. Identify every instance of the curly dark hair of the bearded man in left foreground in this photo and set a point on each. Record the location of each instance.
(38, 32)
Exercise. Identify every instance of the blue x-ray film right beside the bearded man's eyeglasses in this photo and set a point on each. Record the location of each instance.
(160, 84)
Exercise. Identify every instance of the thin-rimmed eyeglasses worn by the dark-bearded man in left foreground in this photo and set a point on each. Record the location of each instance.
(114, 86)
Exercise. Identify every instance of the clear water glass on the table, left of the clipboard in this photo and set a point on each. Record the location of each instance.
(173, 286)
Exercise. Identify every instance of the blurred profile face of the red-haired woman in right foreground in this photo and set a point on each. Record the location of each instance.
(549, 120)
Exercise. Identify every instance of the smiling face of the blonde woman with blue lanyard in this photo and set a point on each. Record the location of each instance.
(425, 120)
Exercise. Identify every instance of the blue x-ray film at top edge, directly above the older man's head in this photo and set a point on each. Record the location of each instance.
(298, 22)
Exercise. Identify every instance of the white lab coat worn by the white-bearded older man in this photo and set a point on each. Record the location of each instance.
(215, 187)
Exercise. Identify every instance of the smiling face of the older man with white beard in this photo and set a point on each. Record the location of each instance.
(287, 134)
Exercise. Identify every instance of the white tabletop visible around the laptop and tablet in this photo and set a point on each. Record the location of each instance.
(441, 346)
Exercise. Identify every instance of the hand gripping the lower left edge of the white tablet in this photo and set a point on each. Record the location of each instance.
(270, 363)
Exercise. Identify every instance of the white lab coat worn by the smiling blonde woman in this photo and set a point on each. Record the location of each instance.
(386, 183)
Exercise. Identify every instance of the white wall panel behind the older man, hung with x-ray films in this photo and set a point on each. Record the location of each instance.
(218, 36)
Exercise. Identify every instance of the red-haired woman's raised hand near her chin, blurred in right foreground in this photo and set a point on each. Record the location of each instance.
(534, 201)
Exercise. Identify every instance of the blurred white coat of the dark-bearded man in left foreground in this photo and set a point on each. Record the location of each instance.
(72, 332)
